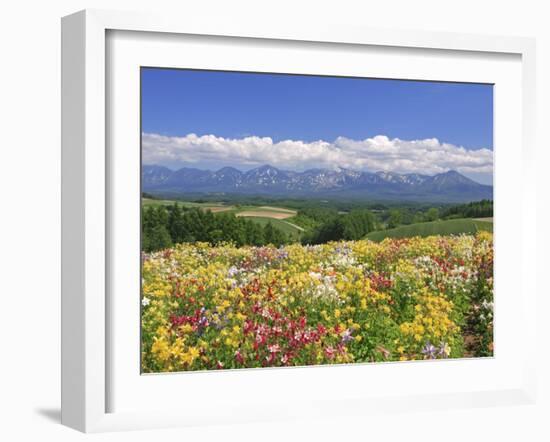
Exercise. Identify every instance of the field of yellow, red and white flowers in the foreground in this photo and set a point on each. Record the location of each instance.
(225, 307)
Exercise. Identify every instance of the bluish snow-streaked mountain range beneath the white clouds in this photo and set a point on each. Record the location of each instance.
(267, 180)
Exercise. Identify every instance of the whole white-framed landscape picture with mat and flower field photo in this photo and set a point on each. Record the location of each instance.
(268, 222)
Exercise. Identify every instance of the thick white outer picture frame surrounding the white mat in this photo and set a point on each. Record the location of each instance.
(87, 321)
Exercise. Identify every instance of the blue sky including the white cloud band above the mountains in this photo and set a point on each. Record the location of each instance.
(255, 109)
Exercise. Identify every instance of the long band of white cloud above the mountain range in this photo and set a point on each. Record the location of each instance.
(428, 156)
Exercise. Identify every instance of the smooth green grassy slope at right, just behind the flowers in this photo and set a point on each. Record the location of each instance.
(448, 227)
